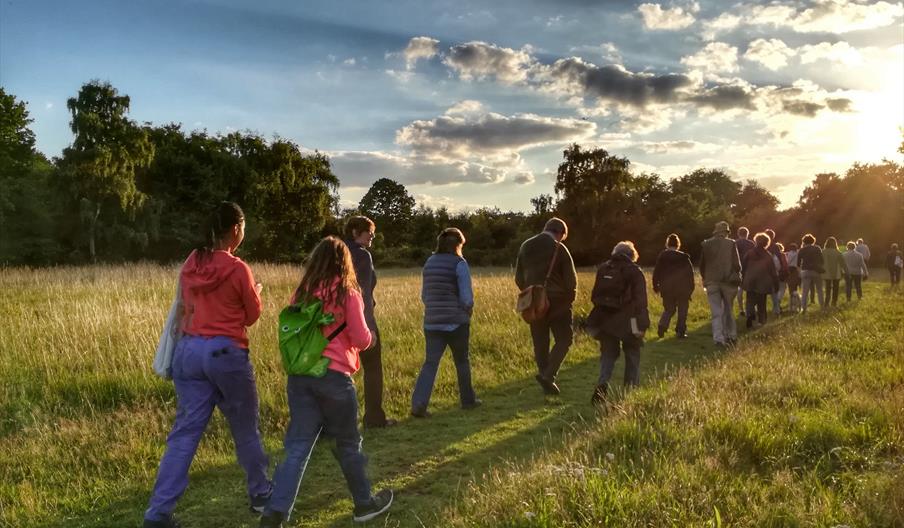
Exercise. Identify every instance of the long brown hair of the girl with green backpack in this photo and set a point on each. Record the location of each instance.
(329, 260)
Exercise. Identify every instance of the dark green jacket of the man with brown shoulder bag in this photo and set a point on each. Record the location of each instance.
(534, 258)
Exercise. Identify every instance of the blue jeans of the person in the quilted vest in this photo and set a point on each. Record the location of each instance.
(437, 340)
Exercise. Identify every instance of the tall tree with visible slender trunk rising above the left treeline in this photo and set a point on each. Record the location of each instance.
(106, 153)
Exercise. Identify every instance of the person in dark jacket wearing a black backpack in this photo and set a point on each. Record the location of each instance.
(619, 317)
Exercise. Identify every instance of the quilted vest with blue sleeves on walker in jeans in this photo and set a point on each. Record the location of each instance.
(446, 292)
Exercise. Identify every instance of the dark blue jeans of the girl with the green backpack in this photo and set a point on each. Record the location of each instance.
(328, 405)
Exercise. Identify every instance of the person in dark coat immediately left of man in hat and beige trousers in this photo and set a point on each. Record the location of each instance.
(673, 279)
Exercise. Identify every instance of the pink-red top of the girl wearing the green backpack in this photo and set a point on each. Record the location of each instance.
(344, 348)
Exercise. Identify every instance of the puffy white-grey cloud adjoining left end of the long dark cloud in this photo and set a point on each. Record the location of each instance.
(479, 60)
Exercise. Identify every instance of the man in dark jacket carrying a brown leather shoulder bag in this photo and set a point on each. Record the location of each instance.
(544, 259)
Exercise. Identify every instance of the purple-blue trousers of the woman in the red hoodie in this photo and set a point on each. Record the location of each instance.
(209, 372)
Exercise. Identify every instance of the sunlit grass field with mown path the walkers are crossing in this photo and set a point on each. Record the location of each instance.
(800, 425)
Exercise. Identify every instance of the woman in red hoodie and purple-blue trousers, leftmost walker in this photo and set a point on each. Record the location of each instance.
(211, 366)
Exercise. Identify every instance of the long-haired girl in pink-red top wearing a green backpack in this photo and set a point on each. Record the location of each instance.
(328, 405)
